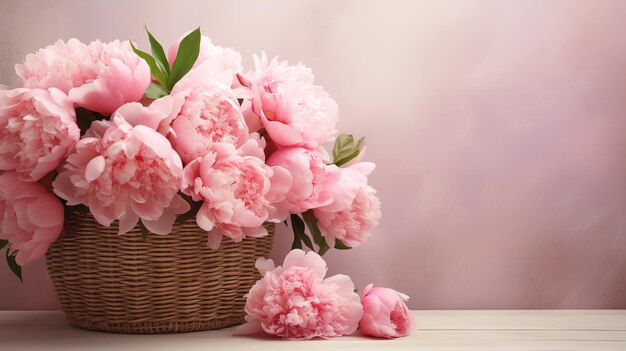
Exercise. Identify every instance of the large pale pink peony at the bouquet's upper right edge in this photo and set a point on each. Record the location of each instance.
(292, 110)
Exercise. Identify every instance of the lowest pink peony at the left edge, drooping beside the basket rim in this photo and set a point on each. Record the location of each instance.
(32, 218)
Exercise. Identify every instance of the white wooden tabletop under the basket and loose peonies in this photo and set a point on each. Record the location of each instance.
(436, 330)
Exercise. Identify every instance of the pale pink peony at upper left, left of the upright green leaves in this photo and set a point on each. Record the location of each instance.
(100, 76)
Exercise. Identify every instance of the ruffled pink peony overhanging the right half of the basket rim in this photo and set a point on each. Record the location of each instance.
(238, 189)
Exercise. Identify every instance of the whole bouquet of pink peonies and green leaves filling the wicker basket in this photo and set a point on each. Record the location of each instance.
(152, 139)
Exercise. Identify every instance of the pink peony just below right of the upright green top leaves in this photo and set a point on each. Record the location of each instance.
(209, 114)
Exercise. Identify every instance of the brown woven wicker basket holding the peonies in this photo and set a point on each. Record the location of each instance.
(163, 284)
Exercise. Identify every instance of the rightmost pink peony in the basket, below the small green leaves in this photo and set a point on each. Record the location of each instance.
(352, 225)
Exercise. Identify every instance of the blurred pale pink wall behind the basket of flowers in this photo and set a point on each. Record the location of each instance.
(498, 127)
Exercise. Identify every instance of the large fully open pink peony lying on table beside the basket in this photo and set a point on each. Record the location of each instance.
(296, 302)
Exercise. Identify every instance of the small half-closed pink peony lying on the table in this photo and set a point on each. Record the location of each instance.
(385, 314)
